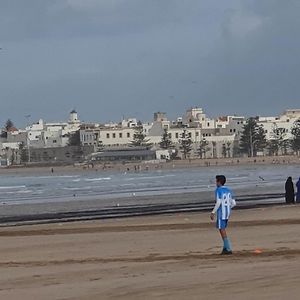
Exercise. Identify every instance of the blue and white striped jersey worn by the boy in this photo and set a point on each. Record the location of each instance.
(224, 203)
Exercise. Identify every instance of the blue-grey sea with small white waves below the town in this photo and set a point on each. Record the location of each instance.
(52, 187)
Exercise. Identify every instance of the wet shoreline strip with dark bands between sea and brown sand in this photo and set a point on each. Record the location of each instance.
(120, 208)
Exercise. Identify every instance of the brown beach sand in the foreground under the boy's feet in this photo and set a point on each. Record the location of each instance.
(157, 257)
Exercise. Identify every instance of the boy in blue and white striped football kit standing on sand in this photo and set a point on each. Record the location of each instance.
(222, 210)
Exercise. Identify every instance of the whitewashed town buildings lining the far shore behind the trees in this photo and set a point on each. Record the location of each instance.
(221, 134)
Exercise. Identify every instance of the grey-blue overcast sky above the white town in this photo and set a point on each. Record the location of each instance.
(110, 59)
